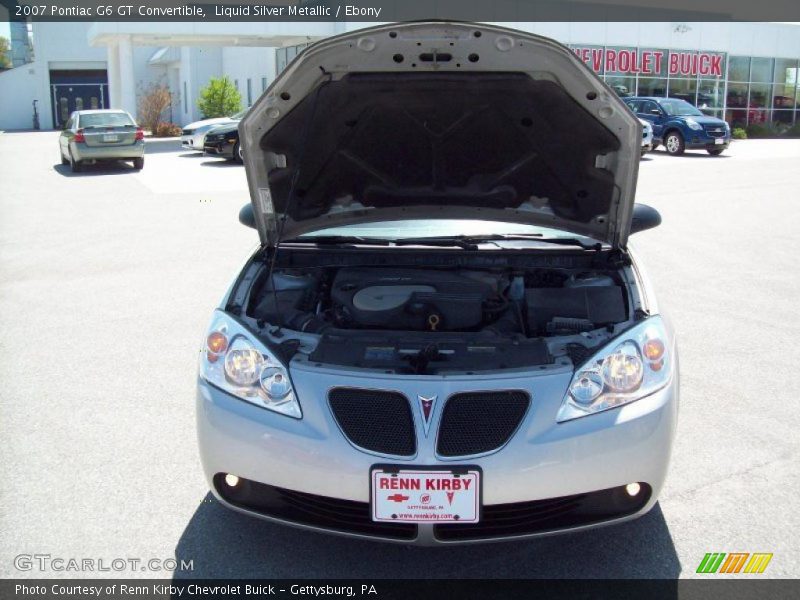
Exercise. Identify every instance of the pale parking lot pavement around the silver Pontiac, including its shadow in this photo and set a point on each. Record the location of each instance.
(107, 281)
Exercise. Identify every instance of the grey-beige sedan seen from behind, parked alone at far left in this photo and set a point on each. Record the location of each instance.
(98, 135)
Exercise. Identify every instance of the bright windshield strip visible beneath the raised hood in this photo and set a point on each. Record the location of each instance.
(422, 228)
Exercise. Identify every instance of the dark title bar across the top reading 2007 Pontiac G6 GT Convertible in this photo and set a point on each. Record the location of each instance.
(375, 11)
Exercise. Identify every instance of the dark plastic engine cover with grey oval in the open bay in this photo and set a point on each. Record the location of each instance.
(409, 299)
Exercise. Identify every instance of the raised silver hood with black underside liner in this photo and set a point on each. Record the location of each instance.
(440, 120)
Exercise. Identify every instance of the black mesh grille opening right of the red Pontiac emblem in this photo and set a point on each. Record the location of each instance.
(479, 422)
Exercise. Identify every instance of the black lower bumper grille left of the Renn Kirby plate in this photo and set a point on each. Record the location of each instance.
(309, 509)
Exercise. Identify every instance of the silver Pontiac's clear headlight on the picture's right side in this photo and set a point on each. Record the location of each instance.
(633, 366)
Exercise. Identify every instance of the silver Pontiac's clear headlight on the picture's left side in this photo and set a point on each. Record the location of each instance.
(235, 362)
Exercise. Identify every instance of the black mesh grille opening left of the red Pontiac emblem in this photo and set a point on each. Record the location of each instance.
(375, 420)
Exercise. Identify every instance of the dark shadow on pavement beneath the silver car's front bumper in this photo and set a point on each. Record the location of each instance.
(221, 543)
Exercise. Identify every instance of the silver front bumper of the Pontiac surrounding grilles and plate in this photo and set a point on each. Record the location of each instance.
(543, 464)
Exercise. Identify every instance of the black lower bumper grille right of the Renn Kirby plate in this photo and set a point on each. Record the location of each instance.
(539, 516)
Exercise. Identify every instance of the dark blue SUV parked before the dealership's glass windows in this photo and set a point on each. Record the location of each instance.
(680, 126)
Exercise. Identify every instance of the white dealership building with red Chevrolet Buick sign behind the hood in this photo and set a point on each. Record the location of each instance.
(744, 72)
